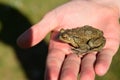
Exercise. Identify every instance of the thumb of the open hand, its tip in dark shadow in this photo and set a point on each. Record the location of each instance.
(38, 31)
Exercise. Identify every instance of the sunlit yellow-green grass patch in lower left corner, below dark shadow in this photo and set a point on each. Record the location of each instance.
(9, 66)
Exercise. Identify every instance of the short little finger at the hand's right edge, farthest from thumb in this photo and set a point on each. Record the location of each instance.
(103, 62)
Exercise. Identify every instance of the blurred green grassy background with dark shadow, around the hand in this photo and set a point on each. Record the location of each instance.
(28, 64)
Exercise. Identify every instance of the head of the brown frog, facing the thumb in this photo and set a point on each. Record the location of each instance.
(67, 37)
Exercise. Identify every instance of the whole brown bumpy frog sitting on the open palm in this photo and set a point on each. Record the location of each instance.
(84, 39)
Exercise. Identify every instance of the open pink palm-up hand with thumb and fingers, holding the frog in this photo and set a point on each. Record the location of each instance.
(60, 64)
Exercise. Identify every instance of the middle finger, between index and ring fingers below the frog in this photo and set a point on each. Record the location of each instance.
(70, 67)
